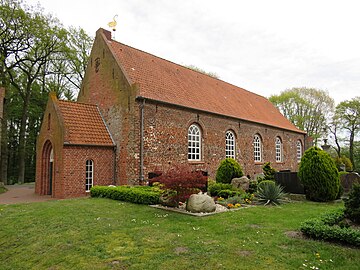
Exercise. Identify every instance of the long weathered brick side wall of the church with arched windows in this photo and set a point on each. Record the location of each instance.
(165, 140)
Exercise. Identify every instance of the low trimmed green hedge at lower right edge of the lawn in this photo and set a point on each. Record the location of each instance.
(325, 228)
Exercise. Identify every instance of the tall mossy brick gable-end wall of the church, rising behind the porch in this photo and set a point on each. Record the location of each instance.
(106, 85)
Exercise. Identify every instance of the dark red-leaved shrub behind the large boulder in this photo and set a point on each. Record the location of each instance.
(183, 180)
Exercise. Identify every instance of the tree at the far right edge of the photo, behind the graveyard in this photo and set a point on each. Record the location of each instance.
(348, 113)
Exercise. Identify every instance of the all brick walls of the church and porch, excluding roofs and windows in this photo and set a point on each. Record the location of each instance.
(165, 134)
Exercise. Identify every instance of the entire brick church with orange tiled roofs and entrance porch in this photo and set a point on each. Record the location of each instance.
(137, 113)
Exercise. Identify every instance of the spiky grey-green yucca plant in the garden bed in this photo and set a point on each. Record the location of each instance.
(270, 193)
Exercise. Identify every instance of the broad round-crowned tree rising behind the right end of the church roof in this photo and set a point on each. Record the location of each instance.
(306, 108)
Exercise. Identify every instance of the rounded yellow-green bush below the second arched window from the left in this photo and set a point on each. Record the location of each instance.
(227, 170)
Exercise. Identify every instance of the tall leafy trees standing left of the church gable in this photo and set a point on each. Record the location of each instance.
(36, 55)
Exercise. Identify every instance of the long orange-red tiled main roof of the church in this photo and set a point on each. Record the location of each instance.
(165, 81)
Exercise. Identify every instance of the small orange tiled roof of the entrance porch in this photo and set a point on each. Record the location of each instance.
(83, 124)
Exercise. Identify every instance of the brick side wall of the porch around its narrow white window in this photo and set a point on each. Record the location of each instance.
(74, 168)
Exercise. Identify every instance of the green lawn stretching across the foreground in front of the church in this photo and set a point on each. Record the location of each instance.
(96, 233)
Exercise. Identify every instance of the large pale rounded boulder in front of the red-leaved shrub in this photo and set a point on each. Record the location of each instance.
(200, 203)
